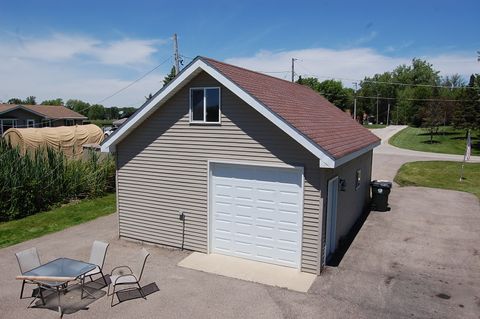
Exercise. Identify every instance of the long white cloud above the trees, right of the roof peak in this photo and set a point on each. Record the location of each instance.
(348, 64)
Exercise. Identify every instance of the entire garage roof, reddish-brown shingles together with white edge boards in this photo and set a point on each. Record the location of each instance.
(302, 113)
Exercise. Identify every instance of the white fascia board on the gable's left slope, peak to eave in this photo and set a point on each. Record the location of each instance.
(149, 108)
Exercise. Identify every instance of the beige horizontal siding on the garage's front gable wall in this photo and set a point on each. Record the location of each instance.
(163, 169)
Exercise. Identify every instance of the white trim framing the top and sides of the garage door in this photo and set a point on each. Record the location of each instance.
(211, 163)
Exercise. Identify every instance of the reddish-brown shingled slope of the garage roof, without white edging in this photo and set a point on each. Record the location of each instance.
(306, 110)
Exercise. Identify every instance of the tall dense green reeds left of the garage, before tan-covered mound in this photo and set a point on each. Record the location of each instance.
(46, 177)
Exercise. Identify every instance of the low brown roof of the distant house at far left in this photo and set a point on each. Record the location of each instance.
(47, 111)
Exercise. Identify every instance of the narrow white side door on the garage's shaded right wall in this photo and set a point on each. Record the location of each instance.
(332, 202)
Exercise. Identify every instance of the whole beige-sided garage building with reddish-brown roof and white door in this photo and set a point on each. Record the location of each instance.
(262, 168)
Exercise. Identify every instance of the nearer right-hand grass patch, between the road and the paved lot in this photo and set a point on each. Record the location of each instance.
(440, 174)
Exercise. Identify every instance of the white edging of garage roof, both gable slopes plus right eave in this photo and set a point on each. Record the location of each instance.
(193, 69)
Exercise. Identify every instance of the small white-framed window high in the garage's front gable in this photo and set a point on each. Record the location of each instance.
(205, 105)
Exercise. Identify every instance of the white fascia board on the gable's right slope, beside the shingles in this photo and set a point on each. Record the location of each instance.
(270, 115)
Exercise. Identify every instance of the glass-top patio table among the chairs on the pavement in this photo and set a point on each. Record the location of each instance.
(57, 273)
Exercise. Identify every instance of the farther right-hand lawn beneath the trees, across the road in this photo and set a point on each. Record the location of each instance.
(448, 141)
